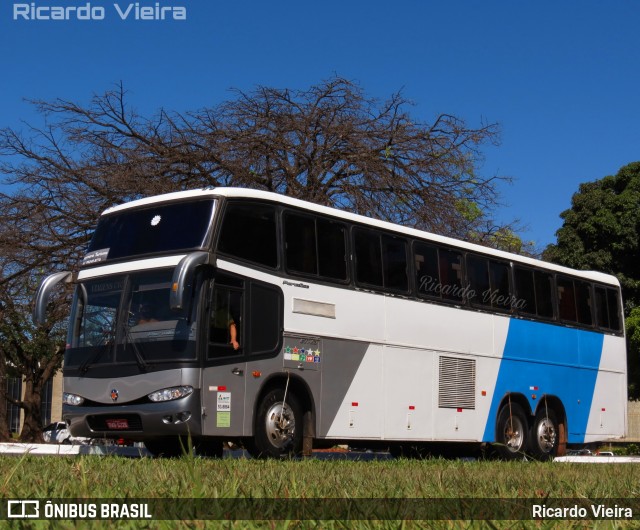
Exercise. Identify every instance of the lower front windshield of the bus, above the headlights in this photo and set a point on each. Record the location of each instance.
(126, 319)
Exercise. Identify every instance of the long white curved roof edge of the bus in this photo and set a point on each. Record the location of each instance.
(356, 218)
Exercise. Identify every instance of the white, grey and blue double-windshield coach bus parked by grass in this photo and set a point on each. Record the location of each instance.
(239, 315)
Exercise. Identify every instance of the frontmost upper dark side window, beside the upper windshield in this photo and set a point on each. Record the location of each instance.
(249, 232)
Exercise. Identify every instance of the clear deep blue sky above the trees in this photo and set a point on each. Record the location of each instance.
(561, 78)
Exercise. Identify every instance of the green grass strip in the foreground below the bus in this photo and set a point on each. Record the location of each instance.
(91, 477)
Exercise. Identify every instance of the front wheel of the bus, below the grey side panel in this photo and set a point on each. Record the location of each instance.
(276, 435)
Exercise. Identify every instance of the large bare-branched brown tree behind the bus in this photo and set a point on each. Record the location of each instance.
(329, 144)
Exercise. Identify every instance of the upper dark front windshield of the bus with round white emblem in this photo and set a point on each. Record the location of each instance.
(158, 228)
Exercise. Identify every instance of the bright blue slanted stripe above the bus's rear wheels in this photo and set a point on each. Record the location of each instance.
(543, 359)
